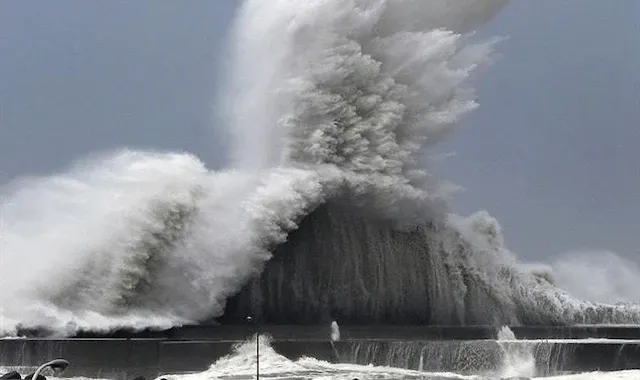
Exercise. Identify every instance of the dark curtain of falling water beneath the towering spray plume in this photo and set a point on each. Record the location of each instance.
(342, 264)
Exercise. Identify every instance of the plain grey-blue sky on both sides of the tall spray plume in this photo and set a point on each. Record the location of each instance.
(552, 152)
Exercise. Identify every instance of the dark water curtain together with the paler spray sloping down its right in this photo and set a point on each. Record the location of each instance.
(342, 265)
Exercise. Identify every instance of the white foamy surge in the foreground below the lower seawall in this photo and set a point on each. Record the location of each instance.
(241, 364)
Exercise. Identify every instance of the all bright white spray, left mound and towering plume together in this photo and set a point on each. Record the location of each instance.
(324, 95)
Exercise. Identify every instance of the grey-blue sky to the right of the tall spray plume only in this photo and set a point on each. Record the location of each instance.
(554, 150)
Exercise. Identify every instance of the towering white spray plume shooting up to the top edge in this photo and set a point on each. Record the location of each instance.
(361, 86)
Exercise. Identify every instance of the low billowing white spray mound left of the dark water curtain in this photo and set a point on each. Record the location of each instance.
(140, 239)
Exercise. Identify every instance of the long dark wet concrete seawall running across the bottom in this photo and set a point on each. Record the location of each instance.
(474, 350)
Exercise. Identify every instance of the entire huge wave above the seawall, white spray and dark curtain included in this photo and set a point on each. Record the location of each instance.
(327, 210)
